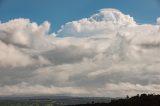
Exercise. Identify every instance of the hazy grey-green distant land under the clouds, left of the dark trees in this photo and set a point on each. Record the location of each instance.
(50, 100)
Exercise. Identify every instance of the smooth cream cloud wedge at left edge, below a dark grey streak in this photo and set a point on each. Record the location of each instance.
(11, 56)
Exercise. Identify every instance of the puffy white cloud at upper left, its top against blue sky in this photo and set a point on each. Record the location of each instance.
(23, 33)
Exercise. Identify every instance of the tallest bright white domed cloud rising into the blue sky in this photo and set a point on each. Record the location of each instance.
(107, 20)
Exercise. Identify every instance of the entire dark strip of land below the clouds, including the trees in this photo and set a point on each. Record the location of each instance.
(138, 100)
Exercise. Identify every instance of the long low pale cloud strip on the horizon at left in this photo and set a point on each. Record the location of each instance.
(27, 89)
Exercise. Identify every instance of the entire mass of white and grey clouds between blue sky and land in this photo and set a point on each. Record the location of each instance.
(107, 54)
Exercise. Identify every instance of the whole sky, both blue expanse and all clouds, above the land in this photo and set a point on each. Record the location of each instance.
(79, 48)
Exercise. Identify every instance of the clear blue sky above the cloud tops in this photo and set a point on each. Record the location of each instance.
(58, 12)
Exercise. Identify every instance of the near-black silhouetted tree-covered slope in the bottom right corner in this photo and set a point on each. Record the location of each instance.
(138, 100)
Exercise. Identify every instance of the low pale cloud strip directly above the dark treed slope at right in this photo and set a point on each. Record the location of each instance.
(130, 89)
